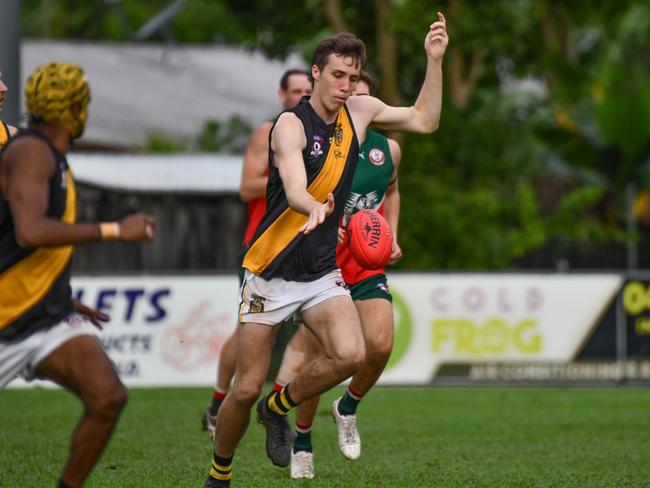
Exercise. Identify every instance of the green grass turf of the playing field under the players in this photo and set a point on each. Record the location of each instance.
(411, 437)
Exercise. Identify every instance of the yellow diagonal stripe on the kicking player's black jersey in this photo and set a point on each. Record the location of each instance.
(285, 228)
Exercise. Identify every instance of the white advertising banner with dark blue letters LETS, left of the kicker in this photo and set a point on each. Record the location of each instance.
(164, 330)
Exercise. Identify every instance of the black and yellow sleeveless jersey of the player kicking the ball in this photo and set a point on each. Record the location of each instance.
(278, 248)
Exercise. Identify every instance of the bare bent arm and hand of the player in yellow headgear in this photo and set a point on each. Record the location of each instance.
(27, 168)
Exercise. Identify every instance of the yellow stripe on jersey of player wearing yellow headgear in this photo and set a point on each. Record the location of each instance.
(28, 281)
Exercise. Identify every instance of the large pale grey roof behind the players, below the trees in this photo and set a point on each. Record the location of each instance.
(139, 89)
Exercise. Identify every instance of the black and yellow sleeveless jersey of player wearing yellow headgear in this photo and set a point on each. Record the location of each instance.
(35, 283)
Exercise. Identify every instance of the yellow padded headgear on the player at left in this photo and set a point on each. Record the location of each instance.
(50, 92)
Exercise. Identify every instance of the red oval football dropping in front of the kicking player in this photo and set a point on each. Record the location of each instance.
(369, 239)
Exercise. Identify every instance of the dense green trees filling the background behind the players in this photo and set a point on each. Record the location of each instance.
(545, 118)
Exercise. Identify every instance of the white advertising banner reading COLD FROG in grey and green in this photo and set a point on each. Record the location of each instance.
(466, 319)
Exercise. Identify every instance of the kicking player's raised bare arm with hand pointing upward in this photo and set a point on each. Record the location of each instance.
(424, 116)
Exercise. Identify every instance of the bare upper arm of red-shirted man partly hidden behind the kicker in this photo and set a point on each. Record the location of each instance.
(256, 160)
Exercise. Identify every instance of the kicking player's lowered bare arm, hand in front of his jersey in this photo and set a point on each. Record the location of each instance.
(287, 143)
